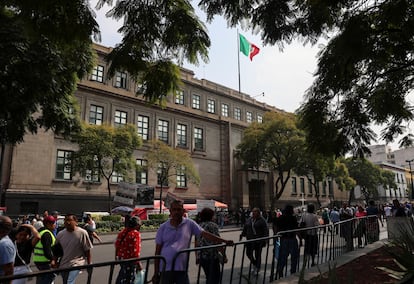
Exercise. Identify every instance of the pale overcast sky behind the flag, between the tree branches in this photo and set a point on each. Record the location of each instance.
(282, 77)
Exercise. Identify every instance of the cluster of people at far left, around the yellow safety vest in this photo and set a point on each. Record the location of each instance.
(39, 240)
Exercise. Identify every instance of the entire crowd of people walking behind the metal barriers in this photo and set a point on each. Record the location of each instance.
(71, 247)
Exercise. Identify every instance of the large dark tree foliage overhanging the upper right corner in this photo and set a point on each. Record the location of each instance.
(364, 72)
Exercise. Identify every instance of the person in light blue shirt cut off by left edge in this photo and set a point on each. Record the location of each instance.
(7, 248)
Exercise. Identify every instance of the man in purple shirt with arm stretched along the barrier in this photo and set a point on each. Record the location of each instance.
(173, 236)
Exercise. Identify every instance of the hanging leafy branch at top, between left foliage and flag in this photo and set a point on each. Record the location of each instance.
(155, 35)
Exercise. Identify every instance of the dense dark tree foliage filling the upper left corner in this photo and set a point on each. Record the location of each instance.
(46, 48)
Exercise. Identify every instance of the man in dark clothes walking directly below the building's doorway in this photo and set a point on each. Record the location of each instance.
(255, 227)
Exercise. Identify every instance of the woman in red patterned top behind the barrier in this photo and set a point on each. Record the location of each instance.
(127, 246)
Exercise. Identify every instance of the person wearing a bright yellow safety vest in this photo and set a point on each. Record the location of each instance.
(43, 251)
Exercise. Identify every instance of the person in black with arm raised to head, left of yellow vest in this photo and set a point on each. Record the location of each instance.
(25, 239)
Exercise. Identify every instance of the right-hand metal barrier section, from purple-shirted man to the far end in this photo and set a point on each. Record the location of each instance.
(334, 240)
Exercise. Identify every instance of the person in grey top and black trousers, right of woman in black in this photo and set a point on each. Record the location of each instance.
(310, 220)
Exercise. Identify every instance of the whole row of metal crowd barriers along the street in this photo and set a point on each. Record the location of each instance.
(334, 240)
